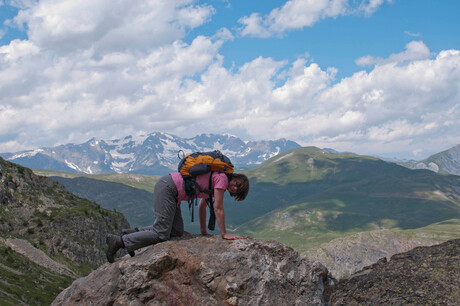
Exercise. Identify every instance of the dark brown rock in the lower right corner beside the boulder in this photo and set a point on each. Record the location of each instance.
(423, 276)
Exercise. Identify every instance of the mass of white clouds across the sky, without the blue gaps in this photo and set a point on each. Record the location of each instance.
(80, 76)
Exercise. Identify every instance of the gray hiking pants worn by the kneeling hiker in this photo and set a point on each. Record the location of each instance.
(168, 218)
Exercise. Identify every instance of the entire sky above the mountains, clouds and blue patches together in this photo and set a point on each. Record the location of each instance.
(375, 77)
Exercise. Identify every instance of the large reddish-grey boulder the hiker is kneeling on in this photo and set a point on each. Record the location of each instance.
(198, 270)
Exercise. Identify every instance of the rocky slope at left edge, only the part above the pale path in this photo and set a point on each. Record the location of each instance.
(41, 211)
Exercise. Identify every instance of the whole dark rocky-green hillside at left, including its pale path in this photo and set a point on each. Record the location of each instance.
(48, 236)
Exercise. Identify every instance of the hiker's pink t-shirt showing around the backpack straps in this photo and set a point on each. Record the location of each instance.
(219, 181)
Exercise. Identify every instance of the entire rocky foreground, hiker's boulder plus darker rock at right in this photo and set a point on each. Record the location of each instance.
(198, 270)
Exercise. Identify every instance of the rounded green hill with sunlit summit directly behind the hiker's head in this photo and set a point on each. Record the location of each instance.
(295, 175)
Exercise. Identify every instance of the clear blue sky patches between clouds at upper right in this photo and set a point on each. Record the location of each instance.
(338, 42)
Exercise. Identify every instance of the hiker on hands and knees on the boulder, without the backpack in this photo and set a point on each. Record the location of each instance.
(169, 192)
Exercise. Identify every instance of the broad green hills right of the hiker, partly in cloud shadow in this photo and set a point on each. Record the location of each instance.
(318, 196)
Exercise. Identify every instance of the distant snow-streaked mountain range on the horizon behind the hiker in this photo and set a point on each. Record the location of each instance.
(155, 153)
